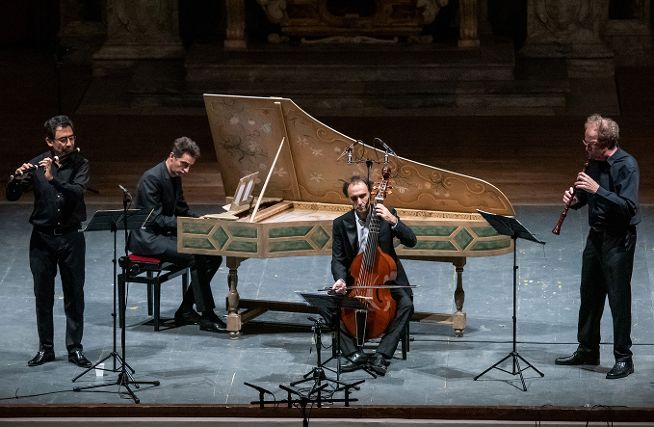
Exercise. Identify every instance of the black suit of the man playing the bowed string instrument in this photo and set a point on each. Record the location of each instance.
(345, 247)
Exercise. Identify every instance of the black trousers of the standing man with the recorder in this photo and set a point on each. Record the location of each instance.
(608, 261)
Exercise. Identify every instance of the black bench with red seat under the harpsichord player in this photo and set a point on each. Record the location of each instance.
(152, 272)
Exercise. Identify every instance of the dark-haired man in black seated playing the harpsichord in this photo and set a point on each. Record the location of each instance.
(160, 188)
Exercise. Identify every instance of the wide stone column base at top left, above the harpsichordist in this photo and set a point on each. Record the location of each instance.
(138, 30)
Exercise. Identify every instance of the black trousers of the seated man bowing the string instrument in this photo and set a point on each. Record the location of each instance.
(391, 338)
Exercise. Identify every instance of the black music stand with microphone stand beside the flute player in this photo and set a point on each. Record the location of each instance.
(125, 219)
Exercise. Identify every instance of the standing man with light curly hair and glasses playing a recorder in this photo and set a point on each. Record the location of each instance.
(610, 189)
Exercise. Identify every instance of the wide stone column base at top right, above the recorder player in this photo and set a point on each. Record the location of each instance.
(570, 29)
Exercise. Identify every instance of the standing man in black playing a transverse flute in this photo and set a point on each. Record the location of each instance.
(58, 178)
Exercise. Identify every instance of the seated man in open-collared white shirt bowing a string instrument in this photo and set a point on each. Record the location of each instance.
(350, 232)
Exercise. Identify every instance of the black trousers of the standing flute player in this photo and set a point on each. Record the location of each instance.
(67, 252)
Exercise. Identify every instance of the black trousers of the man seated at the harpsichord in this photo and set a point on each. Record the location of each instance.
(203, 268)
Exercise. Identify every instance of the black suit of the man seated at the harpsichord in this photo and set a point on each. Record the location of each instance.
(159, 191)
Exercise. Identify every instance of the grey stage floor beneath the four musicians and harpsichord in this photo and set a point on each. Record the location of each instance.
(196, 367)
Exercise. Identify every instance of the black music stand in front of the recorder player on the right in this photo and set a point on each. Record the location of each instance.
(511, 227)
